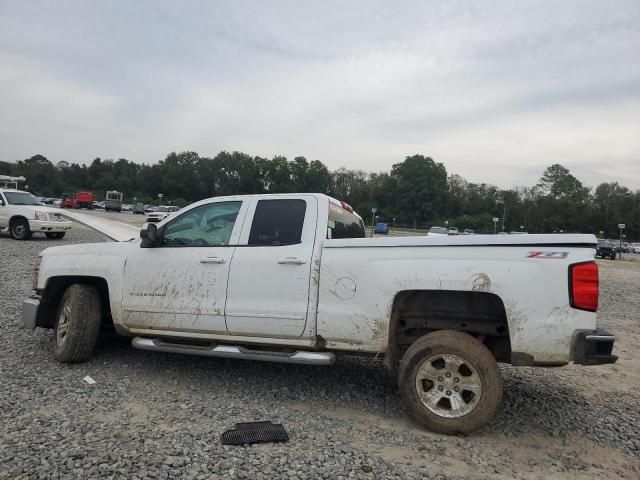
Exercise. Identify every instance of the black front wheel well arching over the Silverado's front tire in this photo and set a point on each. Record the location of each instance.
(55, 288)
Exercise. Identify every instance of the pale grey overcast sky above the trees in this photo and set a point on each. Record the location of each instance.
(496, 91)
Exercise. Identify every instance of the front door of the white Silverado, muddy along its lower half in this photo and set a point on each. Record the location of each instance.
(181, 285)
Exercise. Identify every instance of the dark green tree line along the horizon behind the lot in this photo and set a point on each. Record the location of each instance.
(417, 192)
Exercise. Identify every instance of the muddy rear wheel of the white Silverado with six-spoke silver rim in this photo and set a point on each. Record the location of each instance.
(479, 367)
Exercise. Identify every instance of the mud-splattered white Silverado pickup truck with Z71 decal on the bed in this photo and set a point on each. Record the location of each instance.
(292, 278)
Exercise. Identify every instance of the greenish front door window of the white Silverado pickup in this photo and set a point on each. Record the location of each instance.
(208, 225)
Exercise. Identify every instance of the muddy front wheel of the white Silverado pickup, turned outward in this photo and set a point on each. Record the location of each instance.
(79, 313)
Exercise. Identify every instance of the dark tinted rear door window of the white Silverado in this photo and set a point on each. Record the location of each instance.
(278, 222)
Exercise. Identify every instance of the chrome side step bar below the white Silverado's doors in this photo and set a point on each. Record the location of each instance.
(232, 351)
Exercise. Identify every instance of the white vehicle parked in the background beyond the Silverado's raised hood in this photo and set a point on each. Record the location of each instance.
(22, 215)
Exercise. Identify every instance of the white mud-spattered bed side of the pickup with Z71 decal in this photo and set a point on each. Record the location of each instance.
(360, 280)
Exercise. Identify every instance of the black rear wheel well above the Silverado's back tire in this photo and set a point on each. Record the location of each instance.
(481, 314)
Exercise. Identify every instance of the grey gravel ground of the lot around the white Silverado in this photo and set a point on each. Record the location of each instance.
(154, 415)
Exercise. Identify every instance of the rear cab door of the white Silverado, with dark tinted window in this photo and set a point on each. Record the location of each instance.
(268, 292)
